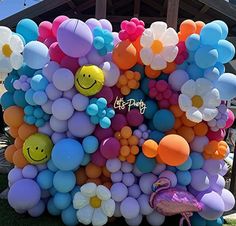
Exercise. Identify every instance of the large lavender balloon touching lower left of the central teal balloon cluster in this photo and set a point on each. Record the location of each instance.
(82, 120)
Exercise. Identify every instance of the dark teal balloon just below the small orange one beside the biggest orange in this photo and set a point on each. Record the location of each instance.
(144, 164)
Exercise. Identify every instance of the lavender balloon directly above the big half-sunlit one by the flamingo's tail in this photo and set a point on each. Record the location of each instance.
(200, 180)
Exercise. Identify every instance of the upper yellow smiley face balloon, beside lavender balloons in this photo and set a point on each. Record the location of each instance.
(89, 80)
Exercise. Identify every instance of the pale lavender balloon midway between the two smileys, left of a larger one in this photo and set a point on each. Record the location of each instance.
(62, 109)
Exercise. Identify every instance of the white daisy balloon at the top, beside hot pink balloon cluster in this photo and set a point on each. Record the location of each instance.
(159, 45)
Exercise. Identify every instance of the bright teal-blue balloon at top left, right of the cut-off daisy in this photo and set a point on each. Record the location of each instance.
(28, 29)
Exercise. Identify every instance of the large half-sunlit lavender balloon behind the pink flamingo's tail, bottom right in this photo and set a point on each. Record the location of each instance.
(213, 205)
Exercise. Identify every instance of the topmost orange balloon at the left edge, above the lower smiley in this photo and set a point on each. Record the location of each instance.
(13, 116)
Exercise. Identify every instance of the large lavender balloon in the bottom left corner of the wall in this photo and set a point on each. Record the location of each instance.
(24, 194)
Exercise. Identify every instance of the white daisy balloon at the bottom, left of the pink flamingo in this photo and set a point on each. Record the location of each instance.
(94, 204)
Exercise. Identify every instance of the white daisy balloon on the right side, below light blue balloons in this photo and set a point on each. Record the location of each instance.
(199, 99)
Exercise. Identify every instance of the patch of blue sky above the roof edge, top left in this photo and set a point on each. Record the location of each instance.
(10, 7)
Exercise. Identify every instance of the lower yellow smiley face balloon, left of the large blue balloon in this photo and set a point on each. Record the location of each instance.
(37, 148)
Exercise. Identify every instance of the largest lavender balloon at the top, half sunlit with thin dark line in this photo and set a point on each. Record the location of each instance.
(74, 38)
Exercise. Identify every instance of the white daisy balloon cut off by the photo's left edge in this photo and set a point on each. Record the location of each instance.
(11, 47)
